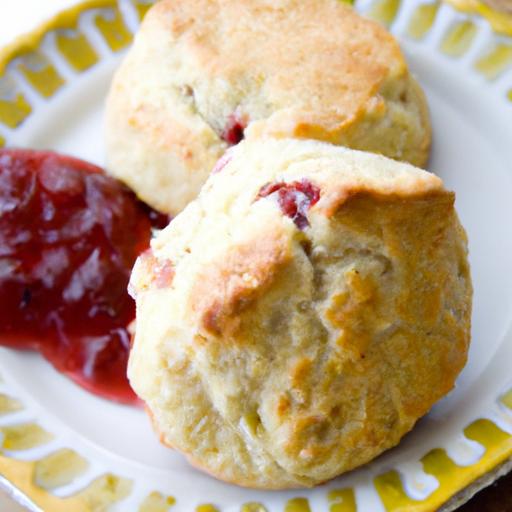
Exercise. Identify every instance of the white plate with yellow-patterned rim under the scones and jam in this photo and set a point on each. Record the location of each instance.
(63, 449)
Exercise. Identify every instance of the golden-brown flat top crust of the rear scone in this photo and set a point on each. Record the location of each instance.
(313, 65)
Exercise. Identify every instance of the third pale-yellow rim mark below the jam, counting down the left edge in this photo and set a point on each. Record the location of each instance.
(58, 469)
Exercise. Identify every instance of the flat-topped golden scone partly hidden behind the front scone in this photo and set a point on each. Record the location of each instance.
(204, 73)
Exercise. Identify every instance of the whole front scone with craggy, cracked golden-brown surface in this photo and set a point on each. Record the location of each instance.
(279, 356)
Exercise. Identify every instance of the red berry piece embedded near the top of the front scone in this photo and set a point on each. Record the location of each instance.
(295, 199)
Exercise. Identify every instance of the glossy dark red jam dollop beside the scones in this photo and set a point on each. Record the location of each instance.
(69, 236)
